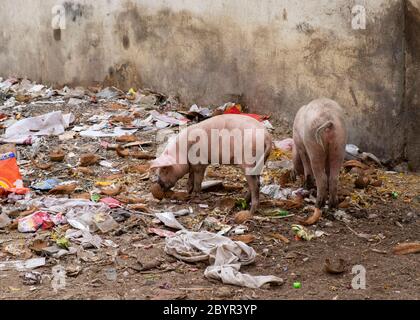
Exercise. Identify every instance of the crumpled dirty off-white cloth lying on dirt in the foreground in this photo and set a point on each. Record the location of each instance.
(225, 256)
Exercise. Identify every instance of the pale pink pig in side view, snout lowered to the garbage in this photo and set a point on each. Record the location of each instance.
(227, 139)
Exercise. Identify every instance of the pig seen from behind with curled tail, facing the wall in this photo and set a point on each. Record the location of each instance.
(320, 135)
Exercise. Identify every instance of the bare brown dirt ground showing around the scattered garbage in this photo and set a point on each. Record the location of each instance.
(382, 219)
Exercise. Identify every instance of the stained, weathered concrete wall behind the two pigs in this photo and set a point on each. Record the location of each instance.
(272, 55)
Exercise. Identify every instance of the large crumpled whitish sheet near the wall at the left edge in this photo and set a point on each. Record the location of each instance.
(24, 131)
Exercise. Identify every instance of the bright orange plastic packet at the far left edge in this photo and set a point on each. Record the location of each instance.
(10, 178)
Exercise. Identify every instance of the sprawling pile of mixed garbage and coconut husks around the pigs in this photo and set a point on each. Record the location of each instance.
(75, 178)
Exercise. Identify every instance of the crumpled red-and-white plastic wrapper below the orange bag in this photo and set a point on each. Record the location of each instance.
(38, 220)
